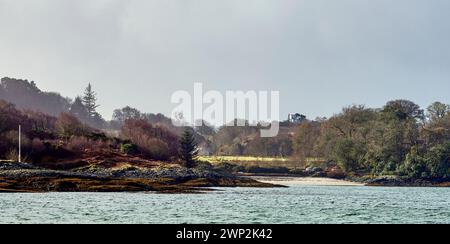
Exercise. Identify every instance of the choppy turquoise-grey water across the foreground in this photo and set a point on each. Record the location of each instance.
(297, 204)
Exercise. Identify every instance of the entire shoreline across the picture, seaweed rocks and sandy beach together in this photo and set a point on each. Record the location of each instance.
(171, 178)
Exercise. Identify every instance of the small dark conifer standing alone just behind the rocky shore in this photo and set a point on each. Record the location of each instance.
(188, 149)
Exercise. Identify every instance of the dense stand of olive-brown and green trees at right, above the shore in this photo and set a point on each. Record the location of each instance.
(398, 139)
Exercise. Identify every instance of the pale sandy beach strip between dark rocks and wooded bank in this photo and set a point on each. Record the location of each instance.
(306, 181)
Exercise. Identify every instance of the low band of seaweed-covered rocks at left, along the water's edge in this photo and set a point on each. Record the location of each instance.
(163, 185)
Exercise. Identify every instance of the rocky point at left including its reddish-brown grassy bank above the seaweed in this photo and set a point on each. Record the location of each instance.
(171, 178)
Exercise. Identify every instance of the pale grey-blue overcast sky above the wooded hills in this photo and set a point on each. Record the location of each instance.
(320, 54)
